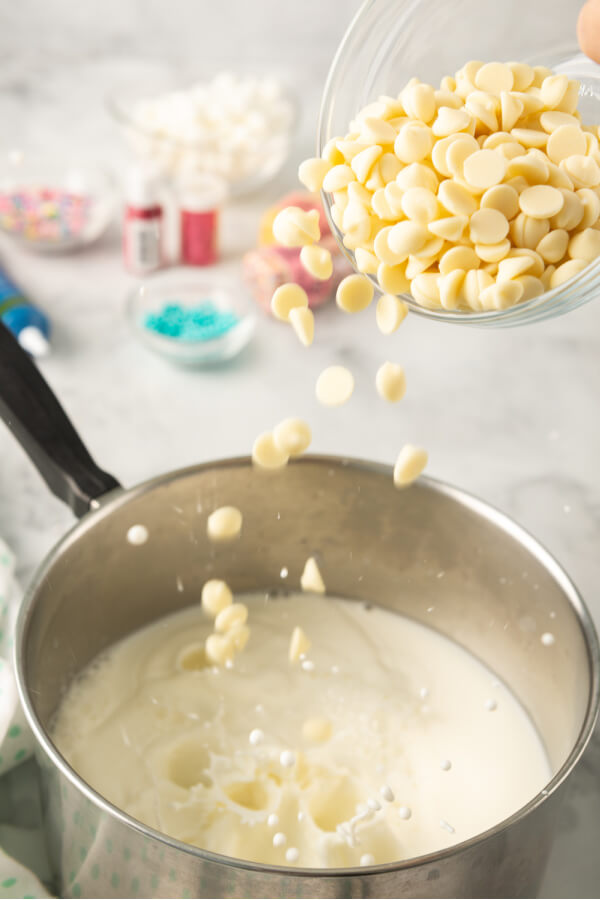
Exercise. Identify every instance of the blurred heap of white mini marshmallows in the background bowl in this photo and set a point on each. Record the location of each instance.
(235, 126)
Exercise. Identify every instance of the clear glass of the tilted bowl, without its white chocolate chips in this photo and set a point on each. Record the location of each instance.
(389, 41)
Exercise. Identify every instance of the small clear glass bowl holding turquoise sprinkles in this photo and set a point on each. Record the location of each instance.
(191, 323)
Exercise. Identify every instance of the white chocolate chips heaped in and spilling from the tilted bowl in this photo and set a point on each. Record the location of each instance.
(475, 196)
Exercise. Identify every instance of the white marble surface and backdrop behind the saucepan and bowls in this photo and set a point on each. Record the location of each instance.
(511, 415)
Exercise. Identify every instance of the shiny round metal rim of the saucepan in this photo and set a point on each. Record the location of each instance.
(112, 501)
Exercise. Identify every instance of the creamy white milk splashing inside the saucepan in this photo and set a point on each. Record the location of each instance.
(385, 742)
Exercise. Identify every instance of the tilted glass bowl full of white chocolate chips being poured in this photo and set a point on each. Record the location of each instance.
(459, 157)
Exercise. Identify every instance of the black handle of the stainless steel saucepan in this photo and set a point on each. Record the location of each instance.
(43, 429)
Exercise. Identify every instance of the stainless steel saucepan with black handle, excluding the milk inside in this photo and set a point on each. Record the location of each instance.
(377, 544)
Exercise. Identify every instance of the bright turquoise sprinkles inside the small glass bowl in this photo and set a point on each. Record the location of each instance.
(203, 322)
